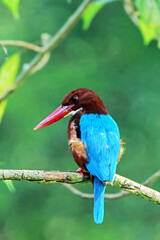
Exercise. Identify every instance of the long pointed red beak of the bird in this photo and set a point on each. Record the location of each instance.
(59, 113)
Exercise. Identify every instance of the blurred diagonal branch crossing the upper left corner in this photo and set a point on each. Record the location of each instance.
(73, 19)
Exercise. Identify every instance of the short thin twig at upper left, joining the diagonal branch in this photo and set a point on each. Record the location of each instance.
(21, 44)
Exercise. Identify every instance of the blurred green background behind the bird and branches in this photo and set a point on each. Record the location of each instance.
(111, 59)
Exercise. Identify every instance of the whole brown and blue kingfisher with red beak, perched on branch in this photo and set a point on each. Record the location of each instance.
(94, 140)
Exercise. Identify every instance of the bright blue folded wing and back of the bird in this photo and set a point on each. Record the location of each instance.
(101, 136)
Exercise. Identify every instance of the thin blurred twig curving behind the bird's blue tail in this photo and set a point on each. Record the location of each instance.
(113, 196)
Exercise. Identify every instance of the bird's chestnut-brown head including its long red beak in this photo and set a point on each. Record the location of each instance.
(81, 99)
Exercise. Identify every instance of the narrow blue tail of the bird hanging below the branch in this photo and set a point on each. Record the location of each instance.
(99, 190)
